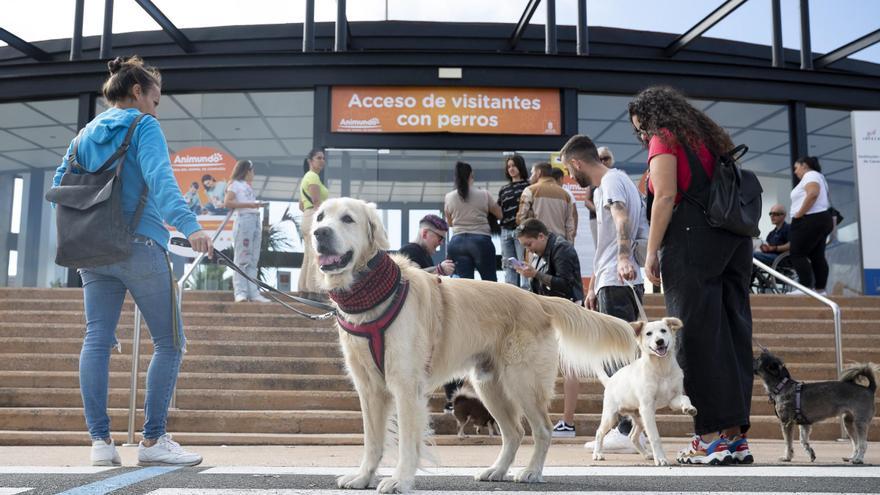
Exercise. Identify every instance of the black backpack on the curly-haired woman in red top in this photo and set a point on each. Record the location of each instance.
(734, 194)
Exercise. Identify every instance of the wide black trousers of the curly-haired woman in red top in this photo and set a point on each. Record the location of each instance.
(706, 273)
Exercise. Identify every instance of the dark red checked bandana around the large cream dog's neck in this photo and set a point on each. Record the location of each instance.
(372, 286)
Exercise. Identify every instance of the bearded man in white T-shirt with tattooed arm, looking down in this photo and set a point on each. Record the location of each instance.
(620, 214)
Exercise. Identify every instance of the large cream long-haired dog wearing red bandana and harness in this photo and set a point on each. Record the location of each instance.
(405, 332)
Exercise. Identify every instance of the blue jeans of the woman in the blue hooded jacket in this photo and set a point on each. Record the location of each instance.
(146, 275)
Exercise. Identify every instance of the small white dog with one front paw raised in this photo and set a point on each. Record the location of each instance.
(652, 382)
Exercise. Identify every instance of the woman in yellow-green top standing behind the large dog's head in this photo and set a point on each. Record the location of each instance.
(312, 194)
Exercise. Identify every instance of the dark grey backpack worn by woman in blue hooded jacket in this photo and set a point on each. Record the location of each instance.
(91, 228)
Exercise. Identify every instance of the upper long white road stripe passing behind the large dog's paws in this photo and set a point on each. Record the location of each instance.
(674, 471)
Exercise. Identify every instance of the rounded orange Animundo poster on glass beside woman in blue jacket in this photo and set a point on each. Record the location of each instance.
(202, 174)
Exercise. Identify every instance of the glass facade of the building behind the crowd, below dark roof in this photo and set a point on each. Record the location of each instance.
(276, 130)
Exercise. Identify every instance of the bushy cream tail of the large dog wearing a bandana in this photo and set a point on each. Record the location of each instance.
(589, 340)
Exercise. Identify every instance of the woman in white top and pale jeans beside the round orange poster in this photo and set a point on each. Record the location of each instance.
(246, 231)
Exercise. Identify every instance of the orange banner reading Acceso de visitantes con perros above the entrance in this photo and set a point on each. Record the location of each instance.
(446, 109)
